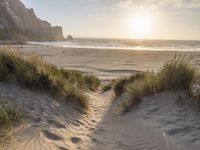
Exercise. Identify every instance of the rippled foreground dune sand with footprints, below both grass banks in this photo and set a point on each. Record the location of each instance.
(53, 125)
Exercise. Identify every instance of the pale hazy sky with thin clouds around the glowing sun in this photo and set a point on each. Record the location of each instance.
(146, 19)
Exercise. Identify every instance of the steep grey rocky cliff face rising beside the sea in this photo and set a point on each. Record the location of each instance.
(16, 21)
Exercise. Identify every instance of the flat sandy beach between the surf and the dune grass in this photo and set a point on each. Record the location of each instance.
(107, 64)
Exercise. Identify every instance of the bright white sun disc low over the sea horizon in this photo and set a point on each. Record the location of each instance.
(141, 25)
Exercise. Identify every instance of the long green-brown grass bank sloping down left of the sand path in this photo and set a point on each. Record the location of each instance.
(31, 71)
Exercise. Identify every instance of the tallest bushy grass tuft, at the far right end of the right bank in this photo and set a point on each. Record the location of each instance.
(177, 73)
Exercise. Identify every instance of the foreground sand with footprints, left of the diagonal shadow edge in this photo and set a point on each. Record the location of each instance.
(50, 123)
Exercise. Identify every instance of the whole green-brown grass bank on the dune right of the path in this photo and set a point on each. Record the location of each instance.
(176, 74)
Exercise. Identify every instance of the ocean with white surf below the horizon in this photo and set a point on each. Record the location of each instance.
(127, 44)
